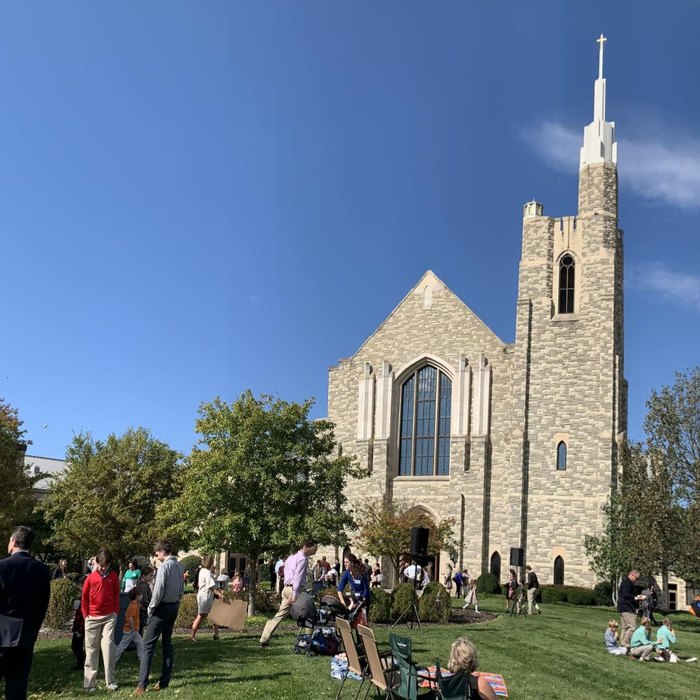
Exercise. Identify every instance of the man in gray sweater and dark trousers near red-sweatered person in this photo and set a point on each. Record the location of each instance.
(162, 611)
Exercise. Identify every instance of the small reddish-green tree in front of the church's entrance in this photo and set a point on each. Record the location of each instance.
(385, 529)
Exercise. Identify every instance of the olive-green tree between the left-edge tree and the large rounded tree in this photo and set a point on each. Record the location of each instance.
(107, 496)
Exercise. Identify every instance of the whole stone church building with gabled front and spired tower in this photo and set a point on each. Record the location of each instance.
(516, 442)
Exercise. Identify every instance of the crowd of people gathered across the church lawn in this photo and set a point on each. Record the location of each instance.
(154, 592)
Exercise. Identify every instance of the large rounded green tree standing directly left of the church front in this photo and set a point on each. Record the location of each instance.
(261, 479)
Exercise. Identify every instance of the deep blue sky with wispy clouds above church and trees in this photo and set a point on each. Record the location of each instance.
(200, 197)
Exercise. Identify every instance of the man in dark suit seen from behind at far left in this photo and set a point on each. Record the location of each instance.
(25, 585)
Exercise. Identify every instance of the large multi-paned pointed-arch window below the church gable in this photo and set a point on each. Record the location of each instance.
(426, 398)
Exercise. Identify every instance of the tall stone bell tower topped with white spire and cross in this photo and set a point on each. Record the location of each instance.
(569, 357)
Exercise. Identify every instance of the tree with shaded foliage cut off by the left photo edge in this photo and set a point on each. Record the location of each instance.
(16, 498)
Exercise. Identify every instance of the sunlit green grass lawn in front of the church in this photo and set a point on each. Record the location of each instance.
(558, 655)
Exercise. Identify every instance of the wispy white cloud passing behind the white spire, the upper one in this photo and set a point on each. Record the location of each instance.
(655, 171)
